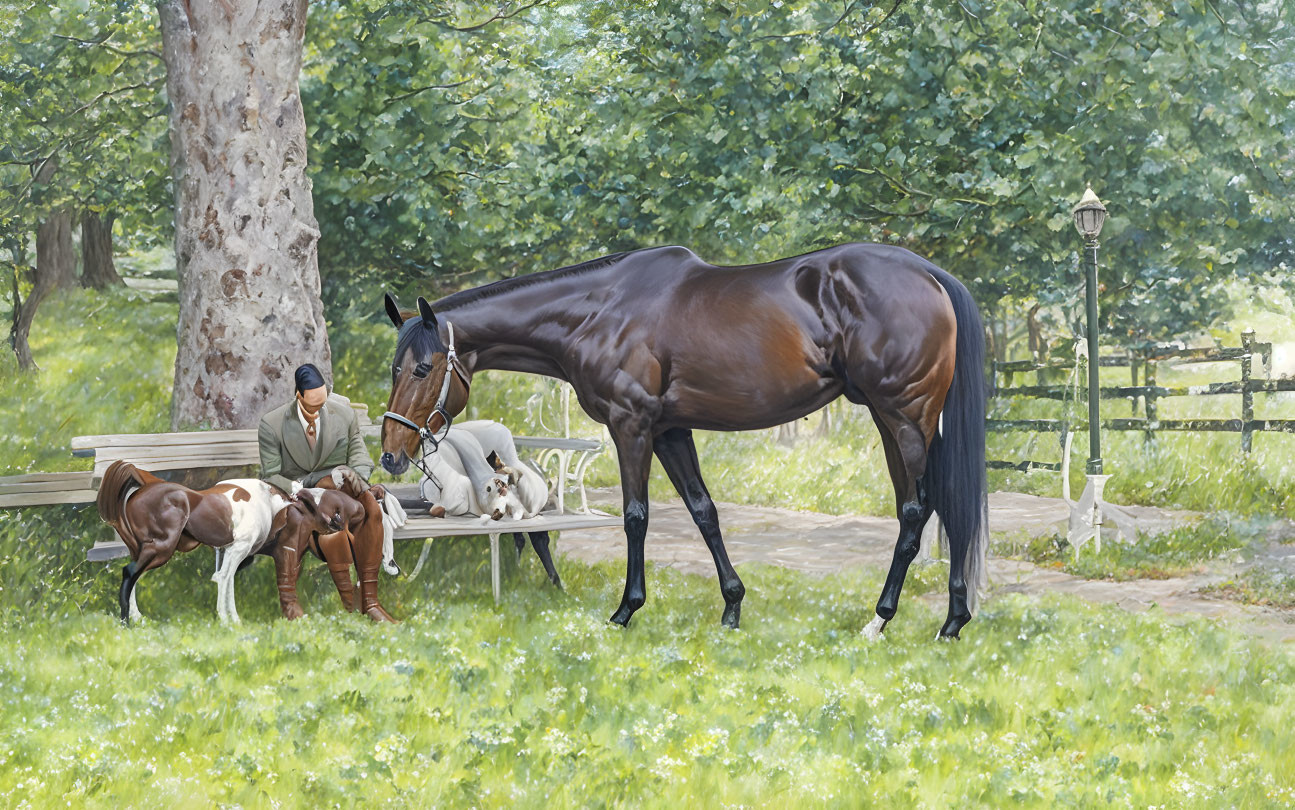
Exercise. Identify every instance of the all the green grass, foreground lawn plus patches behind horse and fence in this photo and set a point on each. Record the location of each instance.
(541, 702)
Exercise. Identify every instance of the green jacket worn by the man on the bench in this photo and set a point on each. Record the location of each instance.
(287, 456)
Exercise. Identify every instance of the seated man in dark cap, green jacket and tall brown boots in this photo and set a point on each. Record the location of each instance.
(305, 440)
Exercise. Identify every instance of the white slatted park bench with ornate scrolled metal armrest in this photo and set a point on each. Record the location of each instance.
(567, 459)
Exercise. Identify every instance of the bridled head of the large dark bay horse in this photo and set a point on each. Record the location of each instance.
(427, 389)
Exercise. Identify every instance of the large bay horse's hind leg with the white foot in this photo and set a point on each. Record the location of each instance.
(906, 457)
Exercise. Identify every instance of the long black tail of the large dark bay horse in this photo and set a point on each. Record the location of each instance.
(955, 466)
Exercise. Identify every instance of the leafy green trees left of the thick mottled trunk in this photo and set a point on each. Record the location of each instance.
(81, 139)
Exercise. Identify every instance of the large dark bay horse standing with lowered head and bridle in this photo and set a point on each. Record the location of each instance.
(659, 343)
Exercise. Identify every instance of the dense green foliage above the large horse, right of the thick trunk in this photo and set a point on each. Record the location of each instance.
(750, 130)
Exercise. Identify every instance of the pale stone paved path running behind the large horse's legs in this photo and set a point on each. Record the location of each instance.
(824, 544)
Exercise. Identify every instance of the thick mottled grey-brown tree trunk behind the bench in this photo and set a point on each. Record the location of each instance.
(247, 239)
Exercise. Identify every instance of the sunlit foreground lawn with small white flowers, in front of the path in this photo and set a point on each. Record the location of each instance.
(542, 703)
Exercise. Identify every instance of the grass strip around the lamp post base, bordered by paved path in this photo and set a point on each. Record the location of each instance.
(1157, 557)
